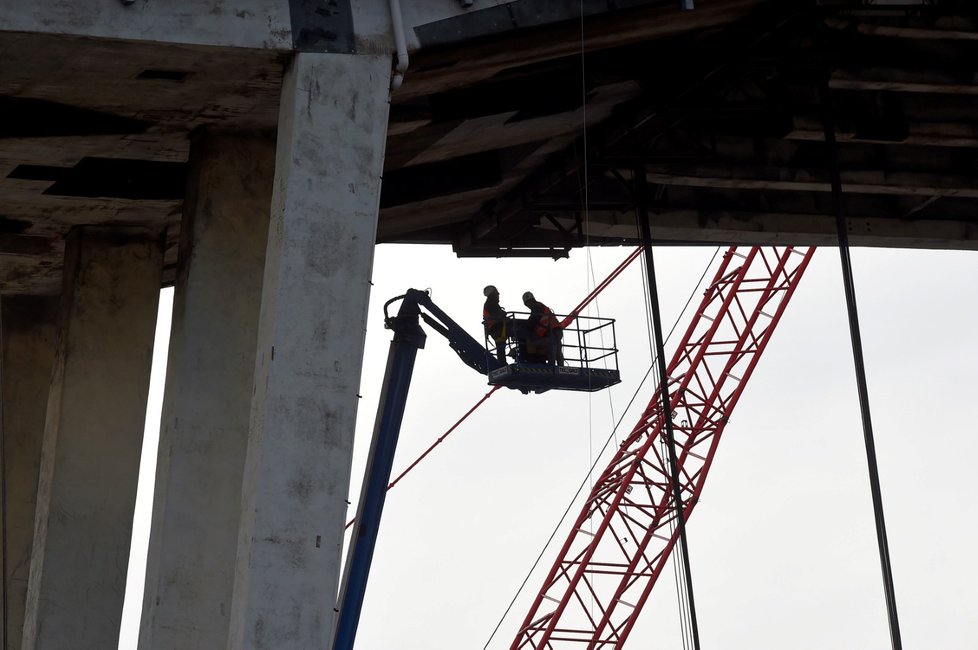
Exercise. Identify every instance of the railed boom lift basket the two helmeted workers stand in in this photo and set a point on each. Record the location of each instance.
(583, 356)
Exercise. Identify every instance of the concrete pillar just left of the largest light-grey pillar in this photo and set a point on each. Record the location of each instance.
(210, 376)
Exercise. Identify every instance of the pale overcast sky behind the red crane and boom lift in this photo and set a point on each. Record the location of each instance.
(782, 544)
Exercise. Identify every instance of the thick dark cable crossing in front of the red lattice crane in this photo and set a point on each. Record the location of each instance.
(642, 211)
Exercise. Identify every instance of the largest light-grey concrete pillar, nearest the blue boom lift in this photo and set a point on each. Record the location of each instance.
(332, 131)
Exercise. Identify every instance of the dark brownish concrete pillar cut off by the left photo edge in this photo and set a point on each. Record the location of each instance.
(29, 333)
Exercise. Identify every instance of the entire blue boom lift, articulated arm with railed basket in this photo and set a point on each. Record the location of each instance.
(565, 358)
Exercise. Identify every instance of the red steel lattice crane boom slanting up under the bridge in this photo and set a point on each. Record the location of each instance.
(622, 537)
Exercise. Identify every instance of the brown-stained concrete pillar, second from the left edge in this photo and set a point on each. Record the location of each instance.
(92, 438)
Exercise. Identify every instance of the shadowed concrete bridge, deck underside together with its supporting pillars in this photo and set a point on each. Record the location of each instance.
(252, 157)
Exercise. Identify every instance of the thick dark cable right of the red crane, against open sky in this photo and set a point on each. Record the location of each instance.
(857, 356)
